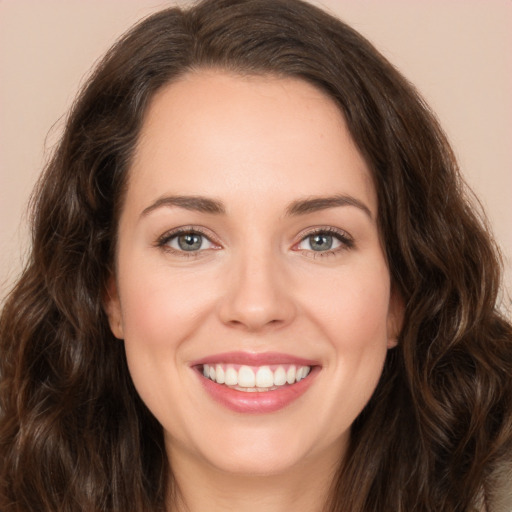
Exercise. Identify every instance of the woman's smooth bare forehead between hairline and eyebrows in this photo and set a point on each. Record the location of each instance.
(213, 133)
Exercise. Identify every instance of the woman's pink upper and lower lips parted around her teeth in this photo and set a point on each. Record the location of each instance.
(256, 402)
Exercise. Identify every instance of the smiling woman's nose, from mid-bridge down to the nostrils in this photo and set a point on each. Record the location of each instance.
(257, 294)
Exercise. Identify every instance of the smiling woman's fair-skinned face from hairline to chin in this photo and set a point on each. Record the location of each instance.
(249, 250)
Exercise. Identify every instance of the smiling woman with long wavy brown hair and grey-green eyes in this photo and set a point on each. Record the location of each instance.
(255, 282)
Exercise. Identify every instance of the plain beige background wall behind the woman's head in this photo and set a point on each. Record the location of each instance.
(457, 52)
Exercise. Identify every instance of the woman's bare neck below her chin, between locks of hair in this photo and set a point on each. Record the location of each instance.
(199, 487)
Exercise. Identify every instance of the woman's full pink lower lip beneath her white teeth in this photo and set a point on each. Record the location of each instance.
(258, 402)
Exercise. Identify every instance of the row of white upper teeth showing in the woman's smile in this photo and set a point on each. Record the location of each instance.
(262, 378)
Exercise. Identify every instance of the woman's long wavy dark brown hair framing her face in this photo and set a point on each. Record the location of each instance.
(75, 436)
